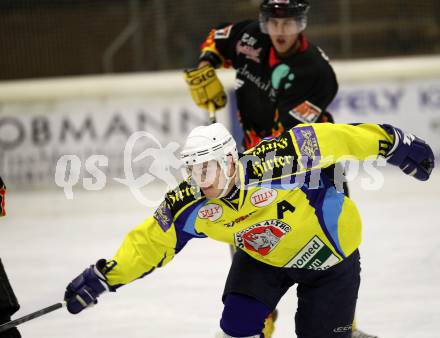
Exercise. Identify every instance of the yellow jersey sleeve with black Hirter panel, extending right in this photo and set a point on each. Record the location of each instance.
(309, 147)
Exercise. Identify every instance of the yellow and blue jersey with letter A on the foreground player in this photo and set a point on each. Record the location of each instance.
(286, 212)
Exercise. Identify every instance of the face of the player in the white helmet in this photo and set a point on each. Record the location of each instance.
(209, 177)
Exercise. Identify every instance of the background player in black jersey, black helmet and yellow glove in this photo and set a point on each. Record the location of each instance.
(282, 79)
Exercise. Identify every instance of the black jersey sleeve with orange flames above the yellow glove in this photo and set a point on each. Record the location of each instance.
(219, 47)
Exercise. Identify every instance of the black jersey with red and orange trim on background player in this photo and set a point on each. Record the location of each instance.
(273, 94)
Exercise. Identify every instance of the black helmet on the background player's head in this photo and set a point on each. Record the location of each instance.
(284, 8)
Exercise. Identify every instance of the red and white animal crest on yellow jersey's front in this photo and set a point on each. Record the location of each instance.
(262, 237)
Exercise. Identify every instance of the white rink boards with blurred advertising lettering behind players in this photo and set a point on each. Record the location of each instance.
(42, 119)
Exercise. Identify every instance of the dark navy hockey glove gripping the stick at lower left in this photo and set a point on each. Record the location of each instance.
(84, 290)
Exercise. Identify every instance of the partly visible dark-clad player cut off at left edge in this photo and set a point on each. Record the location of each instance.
(8, 302)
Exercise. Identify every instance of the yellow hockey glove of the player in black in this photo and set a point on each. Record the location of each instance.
(205, 87)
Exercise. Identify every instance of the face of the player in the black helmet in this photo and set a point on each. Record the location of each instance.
(283, 33)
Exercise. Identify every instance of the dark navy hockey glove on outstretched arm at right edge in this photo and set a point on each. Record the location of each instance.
(410, 153)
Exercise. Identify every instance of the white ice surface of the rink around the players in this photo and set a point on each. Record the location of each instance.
(46, 240)
